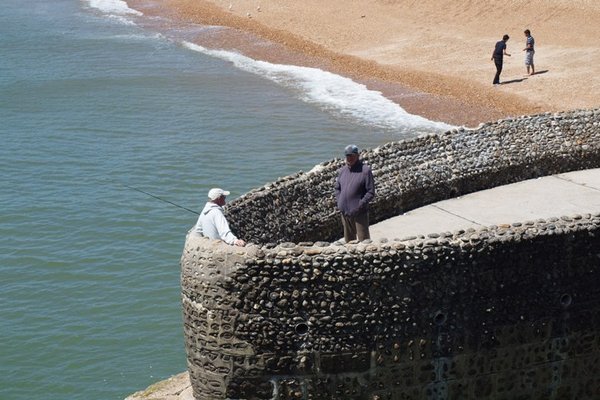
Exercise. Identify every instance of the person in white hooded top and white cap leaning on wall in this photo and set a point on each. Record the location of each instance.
(212, 222)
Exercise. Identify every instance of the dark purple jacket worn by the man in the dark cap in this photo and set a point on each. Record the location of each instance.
(354, 189)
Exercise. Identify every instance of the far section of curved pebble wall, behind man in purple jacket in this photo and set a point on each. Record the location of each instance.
(414, 173)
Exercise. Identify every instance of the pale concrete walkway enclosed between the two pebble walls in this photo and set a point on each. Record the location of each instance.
(553, 196)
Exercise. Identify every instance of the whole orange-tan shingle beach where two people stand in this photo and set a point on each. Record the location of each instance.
(432, 57)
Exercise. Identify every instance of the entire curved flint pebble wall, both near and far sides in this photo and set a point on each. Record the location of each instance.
(498, 313)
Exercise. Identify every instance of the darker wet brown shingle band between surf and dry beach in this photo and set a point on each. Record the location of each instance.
(279, 47)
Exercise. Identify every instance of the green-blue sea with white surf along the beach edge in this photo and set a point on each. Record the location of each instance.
(94, 109)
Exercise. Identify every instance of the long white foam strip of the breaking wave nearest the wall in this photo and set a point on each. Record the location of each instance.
(331, 92)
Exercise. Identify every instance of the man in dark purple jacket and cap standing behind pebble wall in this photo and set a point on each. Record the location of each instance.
(354, 189)
